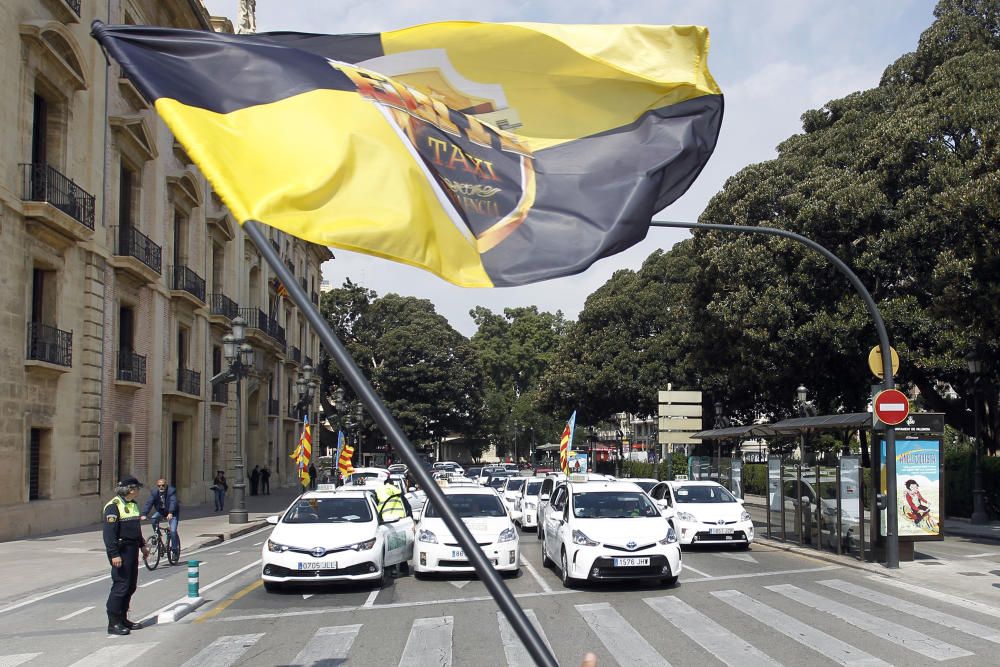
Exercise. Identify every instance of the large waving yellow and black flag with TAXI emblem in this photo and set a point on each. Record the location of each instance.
(489, 154)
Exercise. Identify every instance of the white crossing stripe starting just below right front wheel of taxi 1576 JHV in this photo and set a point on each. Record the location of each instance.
(711, 636)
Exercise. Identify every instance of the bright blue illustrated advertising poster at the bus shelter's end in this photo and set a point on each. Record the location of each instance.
(918, 487)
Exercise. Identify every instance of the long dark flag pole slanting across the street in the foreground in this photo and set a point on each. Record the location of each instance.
(385, 421)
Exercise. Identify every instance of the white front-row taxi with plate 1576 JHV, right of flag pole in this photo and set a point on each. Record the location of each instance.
(599, 530)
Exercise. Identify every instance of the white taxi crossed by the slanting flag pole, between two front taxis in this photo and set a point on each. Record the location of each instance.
(435, 549)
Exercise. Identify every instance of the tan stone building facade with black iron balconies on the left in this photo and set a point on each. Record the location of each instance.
(120, 272)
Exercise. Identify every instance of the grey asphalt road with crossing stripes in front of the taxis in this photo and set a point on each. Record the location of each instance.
(757, 607)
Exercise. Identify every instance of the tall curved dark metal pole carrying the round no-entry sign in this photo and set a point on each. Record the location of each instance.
(892, 523)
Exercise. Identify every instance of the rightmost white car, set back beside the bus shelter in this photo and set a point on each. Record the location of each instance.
(706, 513)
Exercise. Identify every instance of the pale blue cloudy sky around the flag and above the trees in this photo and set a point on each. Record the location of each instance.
(773, 60)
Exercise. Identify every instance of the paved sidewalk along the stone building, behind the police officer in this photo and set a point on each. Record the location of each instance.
(35, 565)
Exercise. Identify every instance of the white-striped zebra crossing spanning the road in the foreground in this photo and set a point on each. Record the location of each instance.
(768, 615)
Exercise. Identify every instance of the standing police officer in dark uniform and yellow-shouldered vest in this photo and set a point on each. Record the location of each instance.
(123, 540)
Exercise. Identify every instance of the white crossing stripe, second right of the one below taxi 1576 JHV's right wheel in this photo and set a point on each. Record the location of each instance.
(900, 635)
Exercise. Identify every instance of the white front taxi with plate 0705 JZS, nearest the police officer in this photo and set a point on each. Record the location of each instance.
(327, 536)
